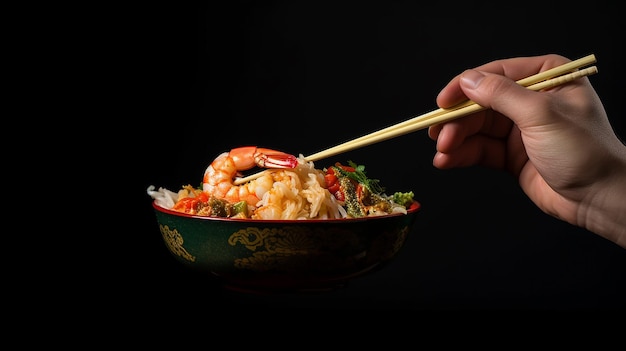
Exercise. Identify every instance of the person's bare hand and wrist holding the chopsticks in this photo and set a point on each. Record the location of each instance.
(558, 143)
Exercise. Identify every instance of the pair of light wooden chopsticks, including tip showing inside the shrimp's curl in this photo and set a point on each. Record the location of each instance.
(553, 77)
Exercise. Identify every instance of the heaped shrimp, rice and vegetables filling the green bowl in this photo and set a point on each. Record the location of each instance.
(291, 188)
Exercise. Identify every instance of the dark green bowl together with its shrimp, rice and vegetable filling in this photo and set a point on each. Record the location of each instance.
(307, 230)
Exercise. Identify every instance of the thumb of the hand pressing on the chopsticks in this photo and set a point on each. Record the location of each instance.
(501, 94)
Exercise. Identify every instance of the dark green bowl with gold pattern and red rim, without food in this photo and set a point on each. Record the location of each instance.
(284, 255)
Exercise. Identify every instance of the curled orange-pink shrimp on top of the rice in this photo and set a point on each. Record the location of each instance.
(219, 177)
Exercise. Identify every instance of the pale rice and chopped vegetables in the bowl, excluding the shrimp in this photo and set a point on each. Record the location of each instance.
(299, 193)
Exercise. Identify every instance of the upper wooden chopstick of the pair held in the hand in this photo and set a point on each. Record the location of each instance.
(407, 126)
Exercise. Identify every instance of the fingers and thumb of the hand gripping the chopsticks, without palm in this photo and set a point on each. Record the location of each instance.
(484, 138)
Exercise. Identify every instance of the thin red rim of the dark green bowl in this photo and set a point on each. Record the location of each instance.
(415, 207)
